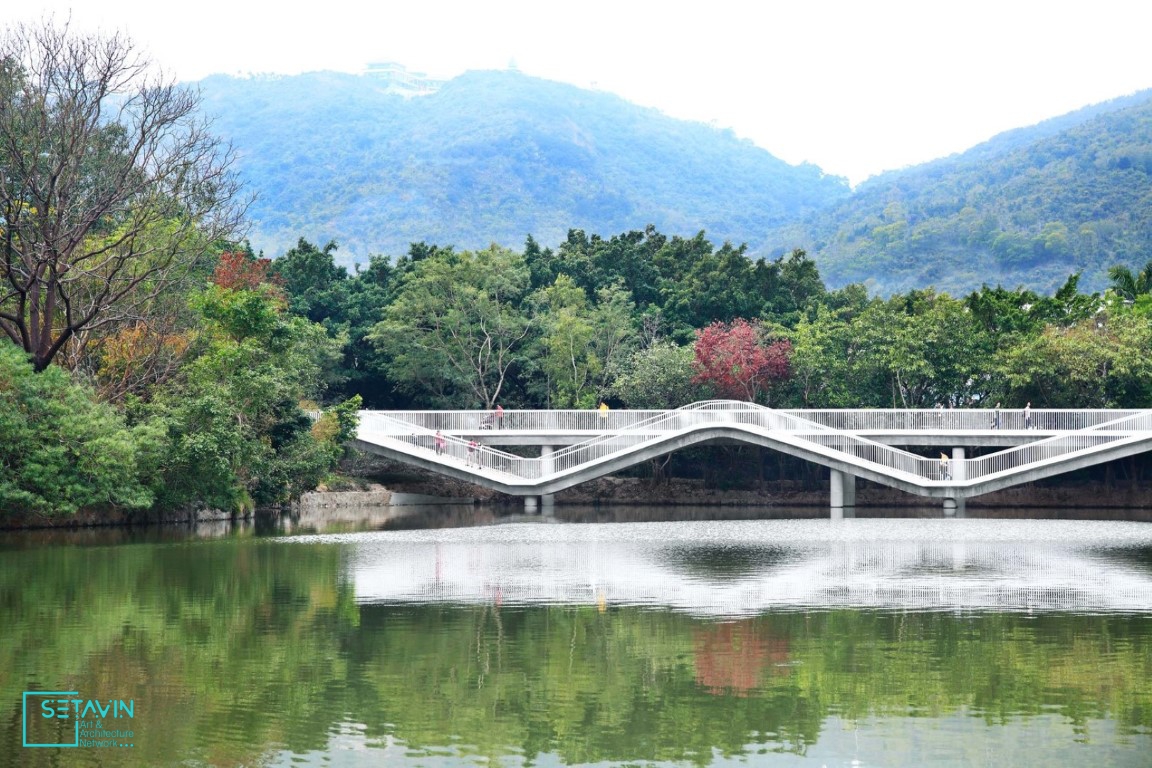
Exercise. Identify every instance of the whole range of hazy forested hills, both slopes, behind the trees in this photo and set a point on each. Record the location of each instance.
(495, 157)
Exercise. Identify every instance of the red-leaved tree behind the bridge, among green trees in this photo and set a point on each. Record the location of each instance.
(739, 361)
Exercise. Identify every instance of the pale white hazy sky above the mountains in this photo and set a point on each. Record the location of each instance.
(855, 88)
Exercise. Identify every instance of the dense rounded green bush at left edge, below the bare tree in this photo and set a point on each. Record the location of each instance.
(60, 451)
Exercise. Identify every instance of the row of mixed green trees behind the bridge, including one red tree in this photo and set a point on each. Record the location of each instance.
(653, 322)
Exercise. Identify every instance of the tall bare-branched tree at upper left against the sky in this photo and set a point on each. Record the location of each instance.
(112, 192)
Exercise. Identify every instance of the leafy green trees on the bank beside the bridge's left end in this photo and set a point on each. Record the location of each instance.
(239, 438)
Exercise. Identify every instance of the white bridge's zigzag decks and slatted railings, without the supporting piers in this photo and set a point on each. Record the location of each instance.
(830, 432)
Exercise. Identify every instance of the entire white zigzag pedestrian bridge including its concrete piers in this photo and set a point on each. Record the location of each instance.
(581, 446)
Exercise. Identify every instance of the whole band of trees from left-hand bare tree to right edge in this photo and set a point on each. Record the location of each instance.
(154, 361)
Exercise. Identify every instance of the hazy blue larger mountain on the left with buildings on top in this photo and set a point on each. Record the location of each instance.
(491, 157)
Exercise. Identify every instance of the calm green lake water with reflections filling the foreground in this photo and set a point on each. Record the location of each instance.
(542, 642)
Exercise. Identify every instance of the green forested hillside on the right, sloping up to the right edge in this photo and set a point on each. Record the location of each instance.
(1026, 209)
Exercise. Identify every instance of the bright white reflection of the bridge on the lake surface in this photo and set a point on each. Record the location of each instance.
(741, 568)
